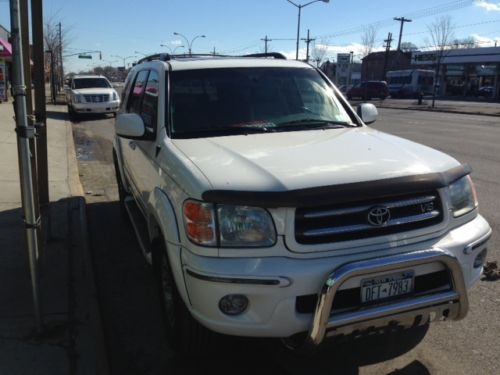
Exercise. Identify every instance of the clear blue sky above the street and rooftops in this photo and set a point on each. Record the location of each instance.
(123, 29)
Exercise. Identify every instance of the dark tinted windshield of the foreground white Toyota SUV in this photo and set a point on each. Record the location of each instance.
(212, 102)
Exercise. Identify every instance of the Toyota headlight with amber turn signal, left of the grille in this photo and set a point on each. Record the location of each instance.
(237, 226)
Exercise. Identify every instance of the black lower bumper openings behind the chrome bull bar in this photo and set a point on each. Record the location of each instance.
(350, 299)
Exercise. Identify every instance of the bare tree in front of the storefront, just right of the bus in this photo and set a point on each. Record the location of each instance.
(441, 33)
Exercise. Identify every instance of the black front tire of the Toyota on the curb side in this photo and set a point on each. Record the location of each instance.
(184, 334)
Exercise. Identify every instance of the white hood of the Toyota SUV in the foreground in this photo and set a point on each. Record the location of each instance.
(304, 159)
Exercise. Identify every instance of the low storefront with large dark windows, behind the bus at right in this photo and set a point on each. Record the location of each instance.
(472, 72)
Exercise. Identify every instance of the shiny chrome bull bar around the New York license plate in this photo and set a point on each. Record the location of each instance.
(455, 301)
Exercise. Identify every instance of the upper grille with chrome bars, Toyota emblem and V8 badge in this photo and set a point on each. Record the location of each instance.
(366, 219)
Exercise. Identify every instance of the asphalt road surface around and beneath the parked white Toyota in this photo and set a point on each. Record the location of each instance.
(130, 307)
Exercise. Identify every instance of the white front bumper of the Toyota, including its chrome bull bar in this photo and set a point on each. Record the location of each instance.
(273, 284)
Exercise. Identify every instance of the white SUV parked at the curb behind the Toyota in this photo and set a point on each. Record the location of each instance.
(91, 94)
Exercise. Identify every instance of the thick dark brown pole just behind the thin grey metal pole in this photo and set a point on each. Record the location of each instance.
(40, 109)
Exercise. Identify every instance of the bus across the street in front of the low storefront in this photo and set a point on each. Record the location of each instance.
(409, 83)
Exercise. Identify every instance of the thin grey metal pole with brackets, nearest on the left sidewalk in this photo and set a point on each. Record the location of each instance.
(25, 133)
